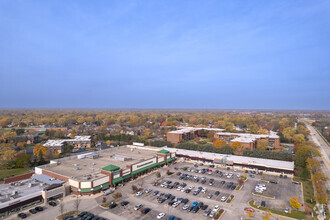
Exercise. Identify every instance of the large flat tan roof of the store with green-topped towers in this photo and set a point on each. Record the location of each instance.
(78, 169)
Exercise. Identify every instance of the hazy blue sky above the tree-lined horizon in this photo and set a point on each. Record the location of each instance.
(165, 54)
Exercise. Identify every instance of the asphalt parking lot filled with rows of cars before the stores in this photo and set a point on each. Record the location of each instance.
(234, 210)
